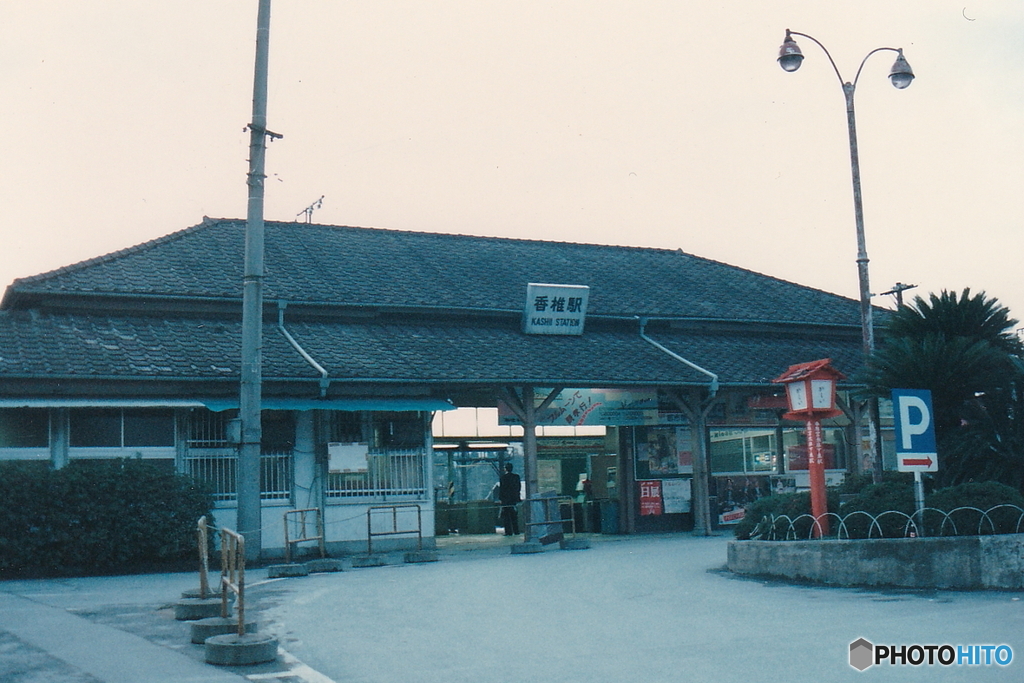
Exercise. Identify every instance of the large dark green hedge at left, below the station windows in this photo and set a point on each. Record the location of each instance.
(97, 518)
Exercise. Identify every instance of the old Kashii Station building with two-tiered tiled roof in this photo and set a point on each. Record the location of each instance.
(650, 385)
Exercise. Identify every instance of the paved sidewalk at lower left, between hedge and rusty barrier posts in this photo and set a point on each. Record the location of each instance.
(116, 630)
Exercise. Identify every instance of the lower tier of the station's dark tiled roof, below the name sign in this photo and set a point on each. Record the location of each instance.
(151, 349)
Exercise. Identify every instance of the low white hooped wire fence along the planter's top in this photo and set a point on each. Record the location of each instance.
(894, 524)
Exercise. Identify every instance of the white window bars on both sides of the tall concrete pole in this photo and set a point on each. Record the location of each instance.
(219, 469)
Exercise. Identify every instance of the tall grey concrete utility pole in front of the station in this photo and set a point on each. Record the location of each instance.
(250, 401)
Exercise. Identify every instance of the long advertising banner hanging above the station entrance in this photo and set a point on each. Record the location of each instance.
(578, 408)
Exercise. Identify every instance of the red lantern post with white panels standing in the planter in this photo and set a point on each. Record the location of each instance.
(810, 391)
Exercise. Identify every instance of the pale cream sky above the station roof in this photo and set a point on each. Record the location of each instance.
(660, 124)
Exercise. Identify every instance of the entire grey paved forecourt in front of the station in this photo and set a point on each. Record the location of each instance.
(638, 609)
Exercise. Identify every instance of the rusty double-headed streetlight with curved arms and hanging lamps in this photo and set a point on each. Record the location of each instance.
(790, 59)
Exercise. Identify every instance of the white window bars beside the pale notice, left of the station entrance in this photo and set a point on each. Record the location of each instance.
(390, 474)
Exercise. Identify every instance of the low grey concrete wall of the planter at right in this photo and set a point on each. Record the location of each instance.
(953, 563)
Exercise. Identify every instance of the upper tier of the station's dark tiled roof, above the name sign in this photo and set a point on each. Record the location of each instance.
(379, 268)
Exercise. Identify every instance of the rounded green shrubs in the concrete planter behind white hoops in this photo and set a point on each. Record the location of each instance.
(897, 494)
